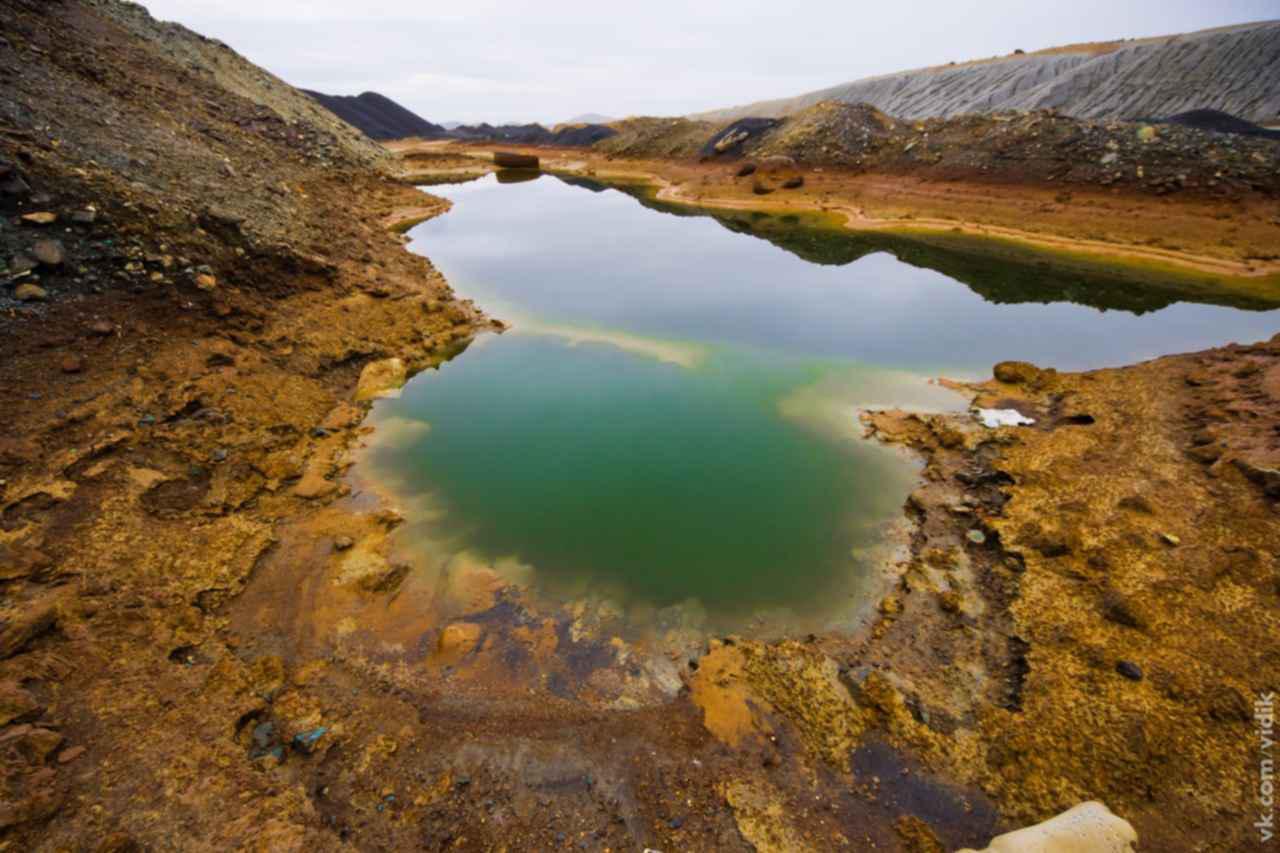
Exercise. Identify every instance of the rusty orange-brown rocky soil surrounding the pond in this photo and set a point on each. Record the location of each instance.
(209, 635)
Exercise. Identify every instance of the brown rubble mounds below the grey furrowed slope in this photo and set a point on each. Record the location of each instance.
(1044, 148)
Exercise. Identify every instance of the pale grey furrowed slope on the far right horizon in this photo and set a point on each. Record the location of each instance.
(1235, 70)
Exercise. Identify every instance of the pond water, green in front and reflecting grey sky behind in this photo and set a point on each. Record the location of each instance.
(673, 417)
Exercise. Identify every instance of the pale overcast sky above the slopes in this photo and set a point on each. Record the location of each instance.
(502, 61)
